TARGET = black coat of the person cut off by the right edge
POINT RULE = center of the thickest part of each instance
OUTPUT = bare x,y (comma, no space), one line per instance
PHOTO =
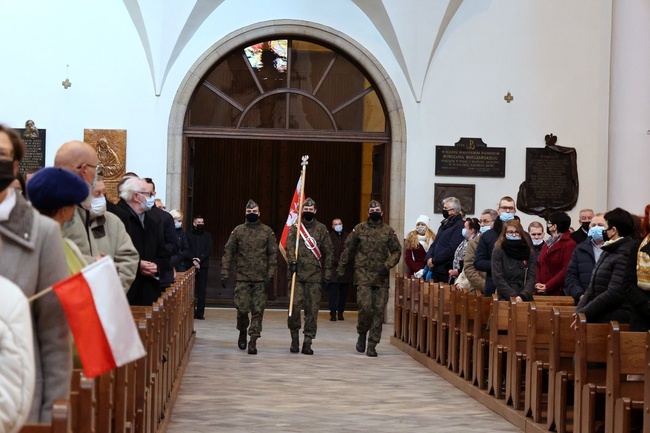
638,298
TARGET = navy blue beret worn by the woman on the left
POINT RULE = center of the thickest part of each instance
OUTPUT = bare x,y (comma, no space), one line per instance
54,188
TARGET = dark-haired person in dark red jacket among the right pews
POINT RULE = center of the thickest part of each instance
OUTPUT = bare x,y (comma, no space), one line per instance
555,256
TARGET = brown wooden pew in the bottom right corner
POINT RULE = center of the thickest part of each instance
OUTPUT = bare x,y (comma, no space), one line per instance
625,356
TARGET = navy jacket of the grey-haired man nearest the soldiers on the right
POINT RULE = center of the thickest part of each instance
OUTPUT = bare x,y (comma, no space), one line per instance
441,251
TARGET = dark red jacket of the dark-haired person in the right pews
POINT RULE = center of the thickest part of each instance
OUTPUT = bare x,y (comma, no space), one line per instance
552,264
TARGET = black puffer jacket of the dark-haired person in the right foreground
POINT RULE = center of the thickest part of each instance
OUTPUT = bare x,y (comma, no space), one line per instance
604,300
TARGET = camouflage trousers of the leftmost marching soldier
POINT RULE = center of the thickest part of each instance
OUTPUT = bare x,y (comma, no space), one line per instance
250,298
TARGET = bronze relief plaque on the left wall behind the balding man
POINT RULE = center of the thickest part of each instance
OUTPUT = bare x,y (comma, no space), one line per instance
110,145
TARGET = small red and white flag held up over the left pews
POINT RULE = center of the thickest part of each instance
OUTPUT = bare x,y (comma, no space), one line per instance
100,318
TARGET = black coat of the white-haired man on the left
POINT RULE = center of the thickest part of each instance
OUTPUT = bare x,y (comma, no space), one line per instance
149,241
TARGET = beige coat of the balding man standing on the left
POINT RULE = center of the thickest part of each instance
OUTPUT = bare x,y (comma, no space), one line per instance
109,237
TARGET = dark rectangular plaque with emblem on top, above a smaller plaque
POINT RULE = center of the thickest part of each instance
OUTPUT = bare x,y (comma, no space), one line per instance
470,157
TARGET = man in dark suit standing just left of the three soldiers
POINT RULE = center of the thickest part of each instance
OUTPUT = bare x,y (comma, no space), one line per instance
200,246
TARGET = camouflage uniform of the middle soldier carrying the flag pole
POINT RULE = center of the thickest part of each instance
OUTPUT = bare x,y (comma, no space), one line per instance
309,275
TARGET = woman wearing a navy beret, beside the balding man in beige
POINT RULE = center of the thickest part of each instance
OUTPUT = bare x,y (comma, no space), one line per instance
55,193
